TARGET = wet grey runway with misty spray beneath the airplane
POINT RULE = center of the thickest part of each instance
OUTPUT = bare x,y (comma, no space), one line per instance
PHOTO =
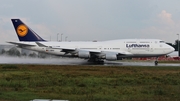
73,61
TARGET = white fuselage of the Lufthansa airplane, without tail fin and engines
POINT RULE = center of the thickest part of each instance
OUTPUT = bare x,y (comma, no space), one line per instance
123,47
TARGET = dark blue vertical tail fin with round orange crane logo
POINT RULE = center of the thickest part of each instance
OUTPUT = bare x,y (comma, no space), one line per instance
24,33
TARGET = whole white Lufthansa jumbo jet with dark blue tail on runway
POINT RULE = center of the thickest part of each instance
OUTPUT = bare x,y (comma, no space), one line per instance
95,52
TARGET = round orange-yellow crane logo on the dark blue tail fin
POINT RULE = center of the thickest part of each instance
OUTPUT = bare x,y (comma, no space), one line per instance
22,30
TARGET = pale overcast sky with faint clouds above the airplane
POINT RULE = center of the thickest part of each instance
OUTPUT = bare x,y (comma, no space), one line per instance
86,20
